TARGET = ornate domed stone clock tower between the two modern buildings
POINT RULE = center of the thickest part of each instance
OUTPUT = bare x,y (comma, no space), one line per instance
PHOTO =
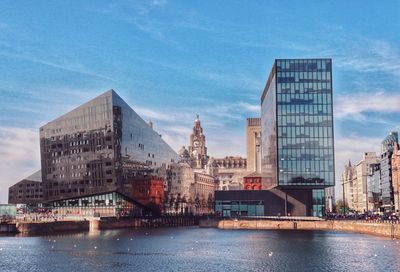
197,146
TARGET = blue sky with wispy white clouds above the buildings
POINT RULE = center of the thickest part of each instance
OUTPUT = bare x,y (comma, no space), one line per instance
171,60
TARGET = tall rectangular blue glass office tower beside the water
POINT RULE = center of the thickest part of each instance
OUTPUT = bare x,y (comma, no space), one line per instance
297,128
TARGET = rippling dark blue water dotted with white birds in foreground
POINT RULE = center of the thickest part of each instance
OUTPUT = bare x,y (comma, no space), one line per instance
194,249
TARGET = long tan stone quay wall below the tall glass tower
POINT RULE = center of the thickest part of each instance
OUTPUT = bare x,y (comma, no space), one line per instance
374,228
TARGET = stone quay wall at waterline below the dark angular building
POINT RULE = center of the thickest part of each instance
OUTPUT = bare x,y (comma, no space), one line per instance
41,228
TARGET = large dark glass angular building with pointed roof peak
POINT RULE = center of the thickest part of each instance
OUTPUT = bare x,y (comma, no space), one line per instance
91,155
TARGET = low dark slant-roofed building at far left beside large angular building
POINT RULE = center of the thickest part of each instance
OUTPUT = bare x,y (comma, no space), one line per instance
27,191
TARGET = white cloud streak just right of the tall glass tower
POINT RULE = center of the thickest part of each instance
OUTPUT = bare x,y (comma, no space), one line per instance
354,106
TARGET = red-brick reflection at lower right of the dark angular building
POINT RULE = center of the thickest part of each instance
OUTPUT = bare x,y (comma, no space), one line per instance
149,190
